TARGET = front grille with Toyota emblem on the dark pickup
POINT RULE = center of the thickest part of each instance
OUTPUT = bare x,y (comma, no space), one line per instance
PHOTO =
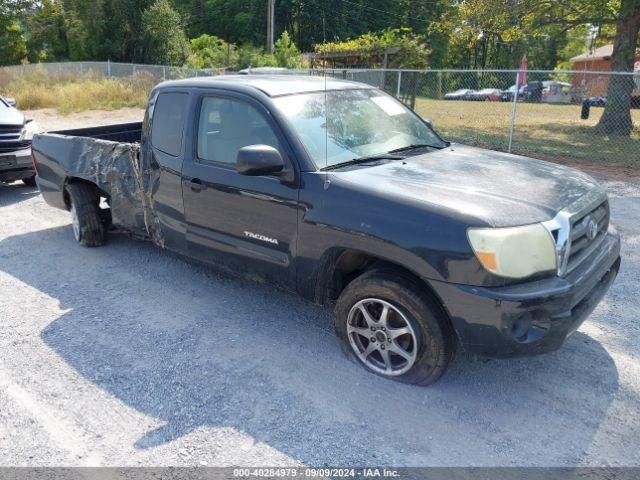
587,232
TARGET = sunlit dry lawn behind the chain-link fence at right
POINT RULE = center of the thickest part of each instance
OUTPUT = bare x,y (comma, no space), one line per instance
553,132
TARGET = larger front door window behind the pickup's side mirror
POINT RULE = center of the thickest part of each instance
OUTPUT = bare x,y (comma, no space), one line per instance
225,126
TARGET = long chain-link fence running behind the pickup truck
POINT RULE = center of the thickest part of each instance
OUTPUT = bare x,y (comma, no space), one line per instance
546,114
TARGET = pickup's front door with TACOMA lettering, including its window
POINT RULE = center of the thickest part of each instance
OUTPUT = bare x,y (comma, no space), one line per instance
241,223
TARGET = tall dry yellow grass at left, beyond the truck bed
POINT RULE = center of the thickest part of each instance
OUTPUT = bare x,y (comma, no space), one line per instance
69,93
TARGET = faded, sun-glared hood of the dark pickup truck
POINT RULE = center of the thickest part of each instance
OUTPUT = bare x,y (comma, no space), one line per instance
495,188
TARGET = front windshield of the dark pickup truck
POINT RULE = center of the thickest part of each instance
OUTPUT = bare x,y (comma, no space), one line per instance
360,123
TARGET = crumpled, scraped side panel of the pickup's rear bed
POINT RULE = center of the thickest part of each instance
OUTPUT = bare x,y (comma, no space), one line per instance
109,157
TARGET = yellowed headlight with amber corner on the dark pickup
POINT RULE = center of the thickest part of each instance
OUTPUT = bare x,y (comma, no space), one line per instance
514,252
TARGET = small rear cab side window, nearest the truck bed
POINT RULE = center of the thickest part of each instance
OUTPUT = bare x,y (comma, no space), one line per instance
168,122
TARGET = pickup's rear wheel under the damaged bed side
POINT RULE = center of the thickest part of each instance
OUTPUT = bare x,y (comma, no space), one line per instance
88,226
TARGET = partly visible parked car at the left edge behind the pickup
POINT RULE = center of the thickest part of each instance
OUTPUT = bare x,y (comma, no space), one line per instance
16,133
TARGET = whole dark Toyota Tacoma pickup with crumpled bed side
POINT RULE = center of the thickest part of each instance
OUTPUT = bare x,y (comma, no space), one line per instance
337,191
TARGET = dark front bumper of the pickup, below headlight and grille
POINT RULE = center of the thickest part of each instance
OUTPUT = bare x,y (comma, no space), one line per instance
533,317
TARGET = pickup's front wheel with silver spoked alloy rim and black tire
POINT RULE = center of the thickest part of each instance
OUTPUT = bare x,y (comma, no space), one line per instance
429,340
